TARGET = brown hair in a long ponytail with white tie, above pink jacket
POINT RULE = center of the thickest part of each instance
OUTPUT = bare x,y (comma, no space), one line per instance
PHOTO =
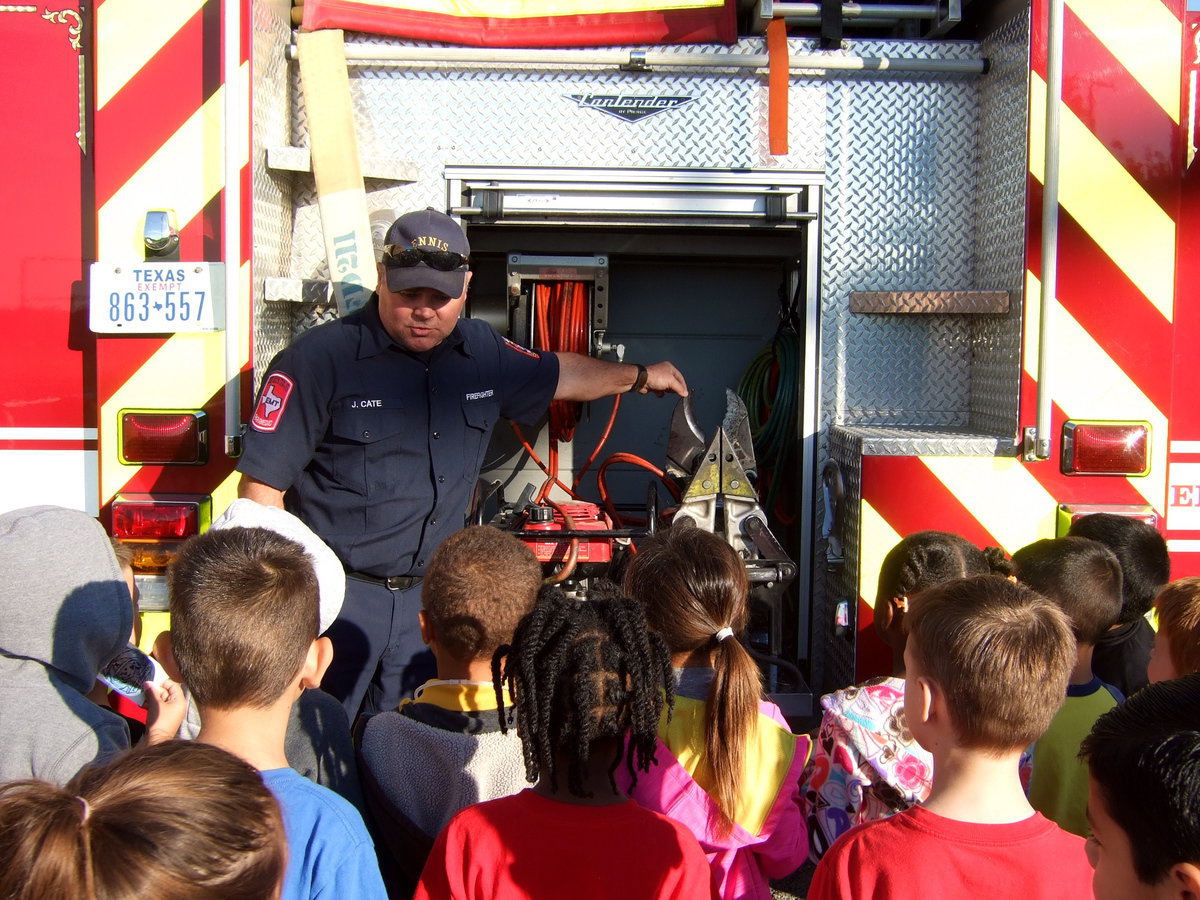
694,590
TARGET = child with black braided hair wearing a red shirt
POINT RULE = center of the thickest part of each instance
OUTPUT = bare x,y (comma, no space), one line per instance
590,682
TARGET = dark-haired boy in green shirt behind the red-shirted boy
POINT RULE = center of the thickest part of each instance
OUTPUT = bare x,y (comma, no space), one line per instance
1083,579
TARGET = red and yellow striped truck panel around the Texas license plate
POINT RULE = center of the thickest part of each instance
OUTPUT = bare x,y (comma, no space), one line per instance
160,145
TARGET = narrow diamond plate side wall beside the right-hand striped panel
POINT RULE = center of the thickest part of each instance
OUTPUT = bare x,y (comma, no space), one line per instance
1000,251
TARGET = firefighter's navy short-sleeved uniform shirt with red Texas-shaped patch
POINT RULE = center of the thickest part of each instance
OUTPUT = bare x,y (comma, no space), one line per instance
379,449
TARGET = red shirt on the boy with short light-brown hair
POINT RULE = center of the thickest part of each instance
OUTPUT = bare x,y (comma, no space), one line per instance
917,855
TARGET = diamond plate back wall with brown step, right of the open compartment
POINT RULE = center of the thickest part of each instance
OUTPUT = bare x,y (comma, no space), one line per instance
899,217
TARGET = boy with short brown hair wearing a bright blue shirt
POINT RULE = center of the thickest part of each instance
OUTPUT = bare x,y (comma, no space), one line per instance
244,608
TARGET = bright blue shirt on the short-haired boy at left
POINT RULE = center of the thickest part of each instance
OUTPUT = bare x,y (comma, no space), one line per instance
331,854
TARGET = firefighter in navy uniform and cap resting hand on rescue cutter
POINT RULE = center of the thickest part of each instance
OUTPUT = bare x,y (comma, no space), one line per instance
373,430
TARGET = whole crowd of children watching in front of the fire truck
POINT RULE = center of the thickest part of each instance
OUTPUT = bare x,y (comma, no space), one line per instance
614,746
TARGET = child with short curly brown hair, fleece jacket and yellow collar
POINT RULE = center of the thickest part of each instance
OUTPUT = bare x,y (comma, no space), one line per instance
445,751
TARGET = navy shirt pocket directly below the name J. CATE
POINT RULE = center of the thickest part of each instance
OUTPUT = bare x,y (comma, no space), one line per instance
365,446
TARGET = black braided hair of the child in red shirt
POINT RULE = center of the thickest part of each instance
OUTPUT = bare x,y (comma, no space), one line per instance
583,671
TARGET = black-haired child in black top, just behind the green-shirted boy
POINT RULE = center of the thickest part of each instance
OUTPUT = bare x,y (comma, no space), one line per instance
1124,651
